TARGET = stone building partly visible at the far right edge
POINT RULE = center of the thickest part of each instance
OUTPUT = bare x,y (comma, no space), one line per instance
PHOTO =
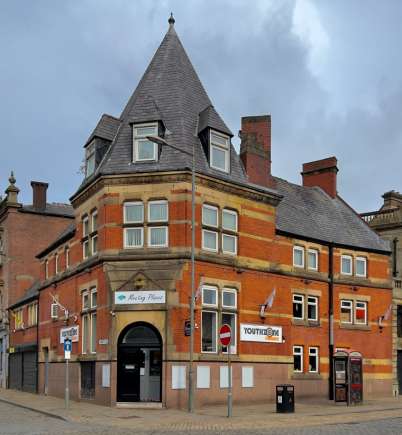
388,223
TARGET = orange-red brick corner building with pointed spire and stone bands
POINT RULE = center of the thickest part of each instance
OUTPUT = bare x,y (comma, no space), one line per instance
293,269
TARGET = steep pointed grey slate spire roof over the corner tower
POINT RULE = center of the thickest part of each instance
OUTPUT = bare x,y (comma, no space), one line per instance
170,91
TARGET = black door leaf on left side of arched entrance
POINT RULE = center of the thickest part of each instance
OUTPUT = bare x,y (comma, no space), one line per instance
131,361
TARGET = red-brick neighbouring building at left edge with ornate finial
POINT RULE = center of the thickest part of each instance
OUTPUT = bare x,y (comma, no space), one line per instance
24,229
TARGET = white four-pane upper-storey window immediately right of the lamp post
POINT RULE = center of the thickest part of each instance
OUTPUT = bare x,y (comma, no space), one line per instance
210,233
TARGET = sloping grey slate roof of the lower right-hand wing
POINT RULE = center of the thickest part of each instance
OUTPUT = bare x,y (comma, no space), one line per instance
311,213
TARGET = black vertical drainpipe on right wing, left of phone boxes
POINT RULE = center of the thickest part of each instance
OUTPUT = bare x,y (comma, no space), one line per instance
331,319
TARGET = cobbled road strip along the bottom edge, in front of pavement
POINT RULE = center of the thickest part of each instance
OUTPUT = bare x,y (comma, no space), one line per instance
18,421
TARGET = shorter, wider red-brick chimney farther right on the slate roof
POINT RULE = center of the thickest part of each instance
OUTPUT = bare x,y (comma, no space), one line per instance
321,173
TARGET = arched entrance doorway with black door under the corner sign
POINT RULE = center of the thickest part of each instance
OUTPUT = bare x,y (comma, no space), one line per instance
139,364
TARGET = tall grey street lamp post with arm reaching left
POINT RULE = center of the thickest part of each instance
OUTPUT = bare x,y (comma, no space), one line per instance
161,141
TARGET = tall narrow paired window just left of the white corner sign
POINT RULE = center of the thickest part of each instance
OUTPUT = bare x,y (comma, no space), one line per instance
88,320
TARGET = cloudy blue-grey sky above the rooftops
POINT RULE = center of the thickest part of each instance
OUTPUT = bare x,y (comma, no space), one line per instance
329,72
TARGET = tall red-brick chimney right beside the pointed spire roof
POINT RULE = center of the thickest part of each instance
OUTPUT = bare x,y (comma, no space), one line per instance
255,149
